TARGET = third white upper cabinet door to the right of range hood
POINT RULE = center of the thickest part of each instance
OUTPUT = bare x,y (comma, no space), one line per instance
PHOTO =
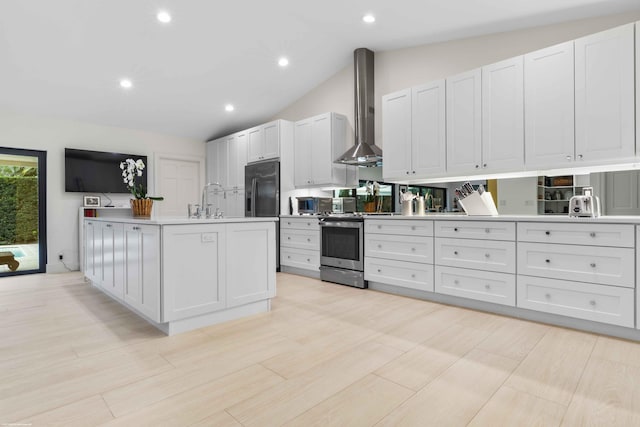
464,136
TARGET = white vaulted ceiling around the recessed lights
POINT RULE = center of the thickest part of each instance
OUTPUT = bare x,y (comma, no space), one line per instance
64,58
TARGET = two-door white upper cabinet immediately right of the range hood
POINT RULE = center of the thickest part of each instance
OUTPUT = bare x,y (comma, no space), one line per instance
413,132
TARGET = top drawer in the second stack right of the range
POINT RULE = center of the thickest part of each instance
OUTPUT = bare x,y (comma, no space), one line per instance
493,230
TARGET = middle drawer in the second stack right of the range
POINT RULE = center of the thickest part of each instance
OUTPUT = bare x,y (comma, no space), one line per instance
491,255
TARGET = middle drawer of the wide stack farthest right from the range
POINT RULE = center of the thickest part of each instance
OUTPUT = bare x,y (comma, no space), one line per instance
602,265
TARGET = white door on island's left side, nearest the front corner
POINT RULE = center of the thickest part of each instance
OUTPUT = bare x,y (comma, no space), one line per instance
142,269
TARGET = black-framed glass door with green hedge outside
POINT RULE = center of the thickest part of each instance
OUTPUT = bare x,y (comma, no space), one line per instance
23,247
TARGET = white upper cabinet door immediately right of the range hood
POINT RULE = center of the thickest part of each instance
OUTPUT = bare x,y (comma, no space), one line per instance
396,134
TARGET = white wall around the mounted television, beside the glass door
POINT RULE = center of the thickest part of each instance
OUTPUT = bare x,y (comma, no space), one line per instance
52,136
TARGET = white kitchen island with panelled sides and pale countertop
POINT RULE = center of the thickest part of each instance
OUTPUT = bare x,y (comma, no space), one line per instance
180,274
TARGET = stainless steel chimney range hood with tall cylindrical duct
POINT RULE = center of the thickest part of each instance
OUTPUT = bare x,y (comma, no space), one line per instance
364,153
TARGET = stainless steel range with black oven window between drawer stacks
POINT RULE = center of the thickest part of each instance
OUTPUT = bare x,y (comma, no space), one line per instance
342,250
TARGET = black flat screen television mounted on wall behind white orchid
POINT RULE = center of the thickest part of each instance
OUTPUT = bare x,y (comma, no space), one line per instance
97,171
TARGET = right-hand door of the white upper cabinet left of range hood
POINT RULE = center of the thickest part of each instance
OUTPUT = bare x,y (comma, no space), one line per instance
321,161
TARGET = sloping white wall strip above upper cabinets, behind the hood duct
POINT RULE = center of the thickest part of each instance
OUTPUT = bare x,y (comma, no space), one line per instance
403,68
